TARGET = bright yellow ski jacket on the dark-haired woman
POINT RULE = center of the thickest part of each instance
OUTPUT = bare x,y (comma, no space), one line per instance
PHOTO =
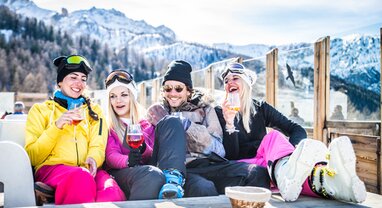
48,145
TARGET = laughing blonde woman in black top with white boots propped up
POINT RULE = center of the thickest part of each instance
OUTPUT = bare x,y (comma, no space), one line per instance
303,169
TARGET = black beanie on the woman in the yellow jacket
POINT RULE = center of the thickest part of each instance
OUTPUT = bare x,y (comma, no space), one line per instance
64,69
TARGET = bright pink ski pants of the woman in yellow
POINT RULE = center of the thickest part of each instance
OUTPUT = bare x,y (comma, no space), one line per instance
75,185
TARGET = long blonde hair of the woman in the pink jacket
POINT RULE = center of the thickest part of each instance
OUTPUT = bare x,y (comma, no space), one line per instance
137,112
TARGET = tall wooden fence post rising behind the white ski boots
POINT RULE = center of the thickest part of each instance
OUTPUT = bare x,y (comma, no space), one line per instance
321,87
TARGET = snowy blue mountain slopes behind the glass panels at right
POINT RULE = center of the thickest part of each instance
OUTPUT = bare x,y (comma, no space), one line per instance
354,69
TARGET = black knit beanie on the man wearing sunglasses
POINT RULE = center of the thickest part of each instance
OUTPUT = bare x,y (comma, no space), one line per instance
179,71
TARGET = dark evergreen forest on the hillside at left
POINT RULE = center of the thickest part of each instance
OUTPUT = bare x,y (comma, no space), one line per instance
28,46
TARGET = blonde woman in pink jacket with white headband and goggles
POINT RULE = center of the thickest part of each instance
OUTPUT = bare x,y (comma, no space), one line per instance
128,165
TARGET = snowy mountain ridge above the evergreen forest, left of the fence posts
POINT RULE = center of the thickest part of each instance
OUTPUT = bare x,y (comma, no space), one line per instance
118,31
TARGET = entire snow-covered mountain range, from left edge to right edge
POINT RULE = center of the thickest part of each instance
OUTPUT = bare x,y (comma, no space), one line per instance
355,59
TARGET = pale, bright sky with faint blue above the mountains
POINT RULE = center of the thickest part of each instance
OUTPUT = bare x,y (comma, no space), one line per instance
243,22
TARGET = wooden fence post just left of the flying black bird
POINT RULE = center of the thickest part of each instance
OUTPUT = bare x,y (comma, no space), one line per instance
271,77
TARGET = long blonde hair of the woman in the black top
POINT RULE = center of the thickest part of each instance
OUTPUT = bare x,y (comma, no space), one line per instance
247,107
